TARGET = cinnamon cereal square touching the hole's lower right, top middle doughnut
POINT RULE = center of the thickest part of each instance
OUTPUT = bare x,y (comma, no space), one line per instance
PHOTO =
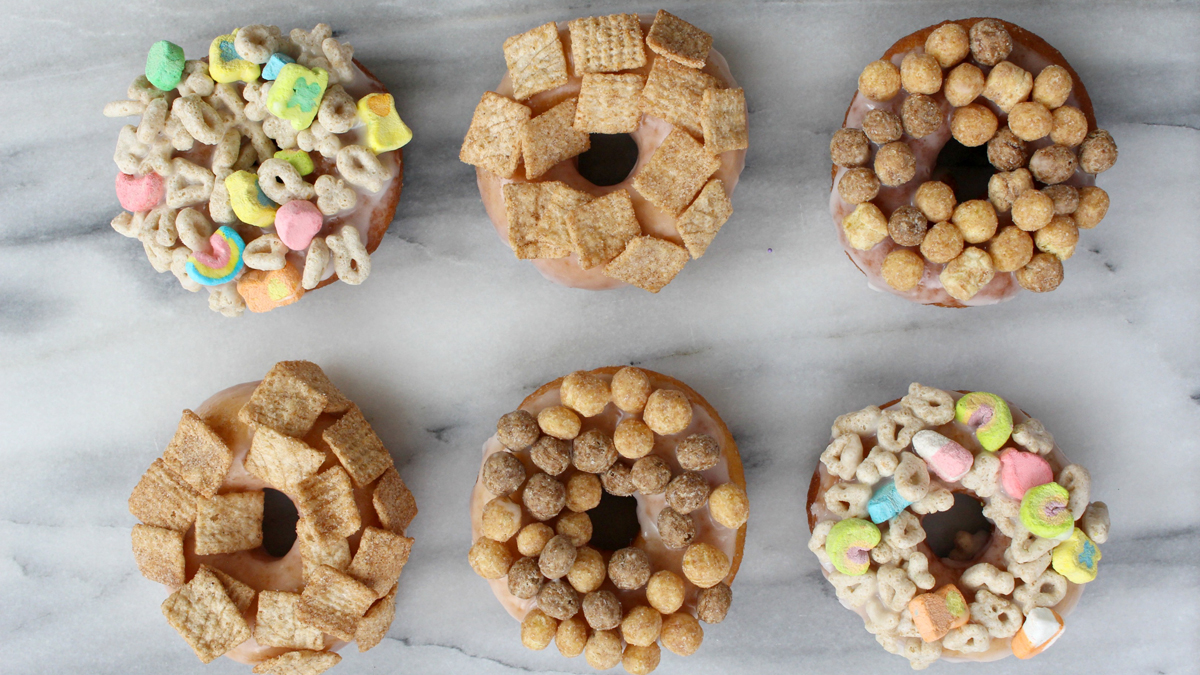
676,172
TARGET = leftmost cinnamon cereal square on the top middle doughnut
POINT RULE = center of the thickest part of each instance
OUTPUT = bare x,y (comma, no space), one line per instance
494,141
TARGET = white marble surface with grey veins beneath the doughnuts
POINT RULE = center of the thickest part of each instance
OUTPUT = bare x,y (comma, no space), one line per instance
99,355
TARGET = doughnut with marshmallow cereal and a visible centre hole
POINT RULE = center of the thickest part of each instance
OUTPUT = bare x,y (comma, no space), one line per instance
998,593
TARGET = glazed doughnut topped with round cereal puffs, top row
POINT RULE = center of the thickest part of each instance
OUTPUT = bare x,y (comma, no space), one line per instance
1018,182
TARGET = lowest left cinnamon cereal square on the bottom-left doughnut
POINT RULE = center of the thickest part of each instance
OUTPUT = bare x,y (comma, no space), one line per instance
202,613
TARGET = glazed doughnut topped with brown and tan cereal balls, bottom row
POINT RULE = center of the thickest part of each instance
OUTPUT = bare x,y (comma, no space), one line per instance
610,517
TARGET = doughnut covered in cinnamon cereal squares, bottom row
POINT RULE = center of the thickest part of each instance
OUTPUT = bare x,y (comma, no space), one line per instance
248,581
